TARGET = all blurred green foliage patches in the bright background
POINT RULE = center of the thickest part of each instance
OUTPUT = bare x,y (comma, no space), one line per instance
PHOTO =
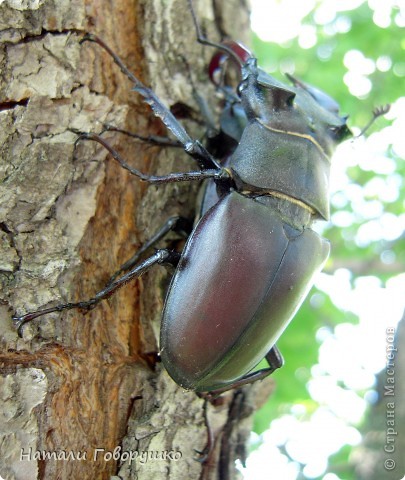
326,71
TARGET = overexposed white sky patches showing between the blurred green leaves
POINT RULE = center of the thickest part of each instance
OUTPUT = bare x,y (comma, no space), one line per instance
377,306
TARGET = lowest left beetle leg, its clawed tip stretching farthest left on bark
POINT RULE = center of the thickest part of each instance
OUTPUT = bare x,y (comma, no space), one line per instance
159,257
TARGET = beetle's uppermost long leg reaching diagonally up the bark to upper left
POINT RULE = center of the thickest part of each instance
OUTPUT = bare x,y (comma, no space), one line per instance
193,147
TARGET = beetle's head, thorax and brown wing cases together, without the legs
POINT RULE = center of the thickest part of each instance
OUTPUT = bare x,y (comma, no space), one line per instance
251,260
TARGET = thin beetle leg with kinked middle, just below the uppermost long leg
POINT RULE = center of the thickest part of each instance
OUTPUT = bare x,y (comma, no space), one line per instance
217,173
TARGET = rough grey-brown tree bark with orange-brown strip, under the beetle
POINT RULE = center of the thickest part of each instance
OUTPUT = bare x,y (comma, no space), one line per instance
70,216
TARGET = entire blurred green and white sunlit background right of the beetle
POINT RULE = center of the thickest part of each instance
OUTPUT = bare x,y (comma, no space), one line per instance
354,50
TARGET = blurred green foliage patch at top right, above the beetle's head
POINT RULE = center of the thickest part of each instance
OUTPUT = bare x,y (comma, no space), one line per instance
326,70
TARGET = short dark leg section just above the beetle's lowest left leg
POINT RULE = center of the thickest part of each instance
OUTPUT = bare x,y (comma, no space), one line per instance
176,224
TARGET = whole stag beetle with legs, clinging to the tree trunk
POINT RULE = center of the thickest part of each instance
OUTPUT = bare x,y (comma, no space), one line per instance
250,260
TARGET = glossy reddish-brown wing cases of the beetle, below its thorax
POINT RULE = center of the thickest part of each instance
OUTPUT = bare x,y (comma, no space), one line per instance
244,266
